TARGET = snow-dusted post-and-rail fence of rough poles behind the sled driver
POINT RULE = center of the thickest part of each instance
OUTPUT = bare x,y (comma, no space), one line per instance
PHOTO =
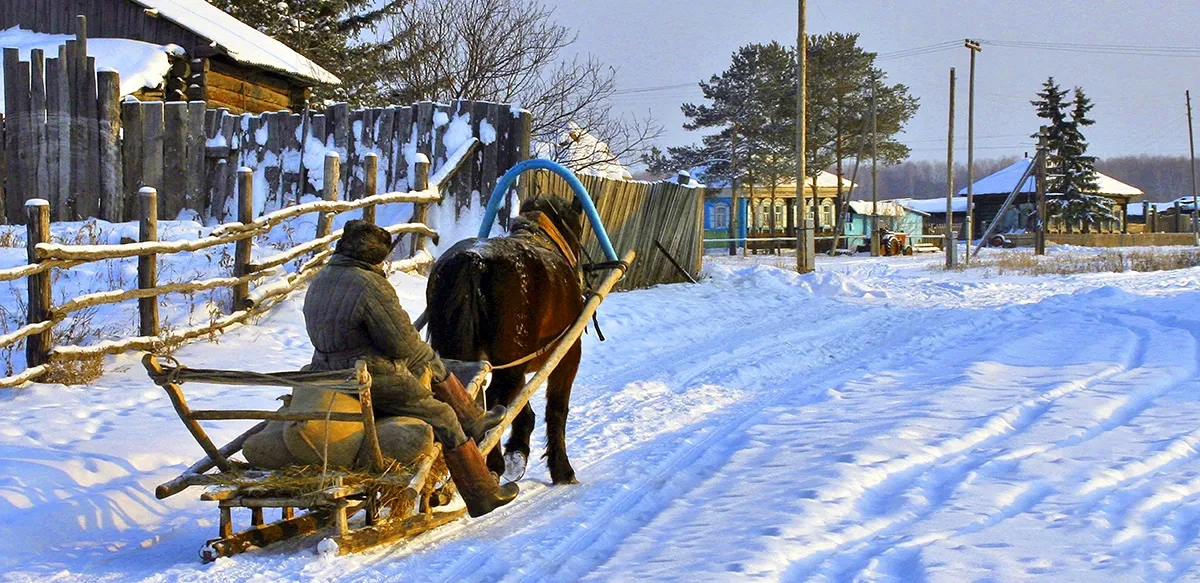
45,257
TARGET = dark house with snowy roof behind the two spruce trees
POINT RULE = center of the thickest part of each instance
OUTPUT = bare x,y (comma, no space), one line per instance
992,191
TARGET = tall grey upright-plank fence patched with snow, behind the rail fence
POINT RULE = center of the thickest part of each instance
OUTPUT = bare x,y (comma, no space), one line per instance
69,140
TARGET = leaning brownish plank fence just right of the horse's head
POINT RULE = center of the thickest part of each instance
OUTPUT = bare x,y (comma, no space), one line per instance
662,221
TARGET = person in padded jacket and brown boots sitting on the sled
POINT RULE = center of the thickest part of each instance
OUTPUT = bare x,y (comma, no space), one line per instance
353,314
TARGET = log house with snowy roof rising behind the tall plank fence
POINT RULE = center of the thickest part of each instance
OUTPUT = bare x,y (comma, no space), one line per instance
223,62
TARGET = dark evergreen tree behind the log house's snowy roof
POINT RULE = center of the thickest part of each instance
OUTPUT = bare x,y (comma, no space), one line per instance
343,37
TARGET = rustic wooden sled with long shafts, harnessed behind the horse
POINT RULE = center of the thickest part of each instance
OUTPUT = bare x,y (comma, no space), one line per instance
397,502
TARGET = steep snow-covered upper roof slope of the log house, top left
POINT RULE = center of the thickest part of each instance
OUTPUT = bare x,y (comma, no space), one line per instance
238,40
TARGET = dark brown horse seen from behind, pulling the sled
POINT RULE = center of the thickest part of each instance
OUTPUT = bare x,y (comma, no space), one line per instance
507,298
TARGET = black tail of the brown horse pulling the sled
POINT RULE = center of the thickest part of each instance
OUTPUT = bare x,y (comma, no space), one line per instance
457,309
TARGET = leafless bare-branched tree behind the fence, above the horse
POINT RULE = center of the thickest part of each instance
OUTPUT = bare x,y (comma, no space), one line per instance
511,52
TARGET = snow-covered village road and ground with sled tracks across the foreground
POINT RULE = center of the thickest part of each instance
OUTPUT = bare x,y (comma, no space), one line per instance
875,422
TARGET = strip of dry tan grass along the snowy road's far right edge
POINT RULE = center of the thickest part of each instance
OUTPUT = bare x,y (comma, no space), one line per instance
1105,262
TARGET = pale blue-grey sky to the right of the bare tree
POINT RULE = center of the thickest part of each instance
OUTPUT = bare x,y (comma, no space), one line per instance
1139,99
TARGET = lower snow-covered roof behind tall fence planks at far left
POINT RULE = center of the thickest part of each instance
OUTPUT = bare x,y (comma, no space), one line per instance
140,64
